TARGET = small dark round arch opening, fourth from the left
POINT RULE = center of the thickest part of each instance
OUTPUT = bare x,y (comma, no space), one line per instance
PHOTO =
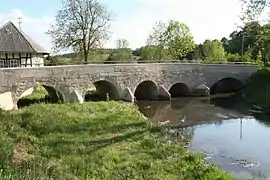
179,90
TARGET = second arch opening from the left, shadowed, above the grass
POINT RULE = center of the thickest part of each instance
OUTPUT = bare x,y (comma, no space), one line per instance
102,90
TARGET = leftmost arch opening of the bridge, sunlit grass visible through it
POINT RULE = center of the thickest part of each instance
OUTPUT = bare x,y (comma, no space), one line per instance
40,93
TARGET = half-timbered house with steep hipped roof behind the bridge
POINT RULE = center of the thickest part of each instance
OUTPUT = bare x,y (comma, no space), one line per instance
19,50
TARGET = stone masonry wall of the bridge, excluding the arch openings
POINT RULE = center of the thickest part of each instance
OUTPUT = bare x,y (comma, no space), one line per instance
73,81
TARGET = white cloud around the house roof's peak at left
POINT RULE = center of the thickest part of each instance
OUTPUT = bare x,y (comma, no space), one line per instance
32,26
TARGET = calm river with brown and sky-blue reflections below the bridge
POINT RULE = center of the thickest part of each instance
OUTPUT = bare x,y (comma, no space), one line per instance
226,129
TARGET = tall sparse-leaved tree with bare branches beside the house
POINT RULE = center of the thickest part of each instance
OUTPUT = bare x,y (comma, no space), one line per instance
80,24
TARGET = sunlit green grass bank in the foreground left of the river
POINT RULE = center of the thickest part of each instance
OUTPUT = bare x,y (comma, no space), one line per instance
104,140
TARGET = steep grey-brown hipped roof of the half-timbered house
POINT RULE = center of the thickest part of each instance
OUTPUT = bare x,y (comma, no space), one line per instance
14,40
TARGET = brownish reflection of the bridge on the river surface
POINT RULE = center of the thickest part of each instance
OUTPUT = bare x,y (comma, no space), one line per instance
186,112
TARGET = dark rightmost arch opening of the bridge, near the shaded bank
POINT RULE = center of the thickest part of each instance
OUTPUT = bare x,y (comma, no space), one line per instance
226,85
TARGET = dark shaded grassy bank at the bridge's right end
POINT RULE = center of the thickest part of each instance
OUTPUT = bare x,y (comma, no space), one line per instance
258,88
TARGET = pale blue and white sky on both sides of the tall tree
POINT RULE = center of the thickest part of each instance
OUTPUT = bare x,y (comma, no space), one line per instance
133,19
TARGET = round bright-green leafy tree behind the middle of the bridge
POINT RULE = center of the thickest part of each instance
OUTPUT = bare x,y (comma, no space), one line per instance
174,38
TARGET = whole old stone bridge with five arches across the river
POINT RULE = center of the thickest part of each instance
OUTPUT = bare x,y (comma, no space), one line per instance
122,81
